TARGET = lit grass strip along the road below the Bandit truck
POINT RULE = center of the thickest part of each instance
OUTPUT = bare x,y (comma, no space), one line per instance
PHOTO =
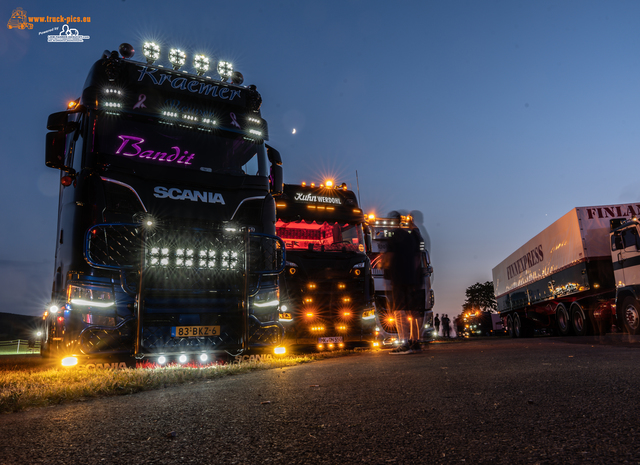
23,389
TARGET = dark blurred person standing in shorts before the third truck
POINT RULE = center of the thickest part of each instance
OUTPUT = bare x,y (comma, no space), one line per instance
404,273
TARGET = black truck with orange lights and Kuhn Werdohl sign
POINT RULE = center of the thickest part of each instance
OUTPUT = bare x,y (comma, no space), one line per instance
327,288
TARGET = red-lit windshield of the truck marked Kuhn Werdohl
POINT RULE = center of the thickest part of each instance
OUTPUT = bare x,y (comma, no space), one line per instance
321,237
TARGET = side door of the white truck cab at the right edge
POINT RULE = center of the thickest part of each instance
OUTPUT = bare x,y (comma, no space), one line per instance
625,250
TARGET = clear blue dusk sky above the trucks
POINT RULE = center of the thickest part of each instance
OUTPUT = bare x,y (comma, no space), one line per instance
492,118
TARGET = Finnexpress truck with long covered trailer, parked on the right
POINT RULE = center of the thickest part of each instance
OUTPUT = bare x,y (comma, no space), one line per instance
578,276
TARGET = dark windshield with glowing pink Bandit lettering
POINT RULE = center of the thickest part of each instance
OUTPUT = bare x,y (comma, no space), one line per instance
151,144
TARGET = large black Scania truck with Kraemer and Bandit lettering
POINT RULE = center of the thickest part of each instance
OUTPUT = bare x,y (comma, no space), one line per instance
166,249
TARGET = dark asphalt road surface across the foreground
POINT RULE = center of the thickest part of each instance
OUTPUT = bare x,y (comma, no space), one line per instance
540,400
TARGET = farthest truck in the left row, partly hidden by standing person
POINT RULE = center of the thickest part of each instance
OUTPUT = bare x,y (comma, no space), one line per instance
423,298
